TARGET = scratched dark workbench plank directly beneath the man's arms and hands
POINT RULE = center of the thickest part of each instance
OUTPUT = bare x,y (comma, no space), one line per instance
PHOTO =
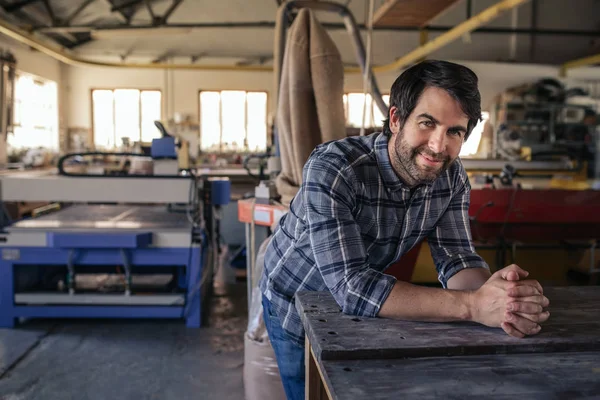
574,325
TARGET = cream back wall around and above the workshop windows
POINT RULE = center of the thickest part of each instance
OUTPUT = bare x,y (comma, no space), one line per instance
180,87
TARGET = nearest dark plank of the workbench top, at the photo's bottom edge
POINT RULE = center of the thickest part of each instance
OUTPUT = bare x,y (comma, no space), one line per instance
531,376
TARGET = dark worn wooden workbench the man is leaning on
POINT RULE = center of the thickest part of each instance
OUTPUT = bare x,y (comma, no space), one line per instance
352,357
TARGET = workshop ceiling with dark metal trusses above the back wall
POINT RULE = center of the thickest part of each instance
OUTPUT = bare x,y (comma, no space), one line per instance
242,31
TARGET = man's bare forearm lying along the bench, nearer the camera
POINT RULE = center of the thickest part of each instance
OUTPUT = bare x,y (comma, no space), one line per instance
411,302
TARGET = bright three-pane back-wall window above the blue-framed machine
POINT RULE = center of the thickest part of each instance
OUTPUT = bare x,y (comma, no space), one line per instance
125,113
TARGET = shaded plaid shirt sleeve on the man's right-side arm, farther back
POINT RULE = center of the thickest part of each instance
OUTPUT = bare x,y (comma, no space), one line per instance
450,242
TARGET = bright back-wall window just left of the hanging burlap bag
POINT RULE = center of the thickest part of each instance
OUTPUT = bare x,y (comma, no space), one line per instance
233,120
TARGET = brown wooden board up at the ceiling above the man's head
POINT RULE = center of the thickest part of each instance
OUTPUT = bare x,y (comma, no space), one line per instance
414,13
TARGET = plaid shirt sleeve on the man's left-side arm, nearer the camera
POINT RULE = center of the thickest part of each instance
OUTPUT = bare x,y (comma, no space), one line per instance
336,240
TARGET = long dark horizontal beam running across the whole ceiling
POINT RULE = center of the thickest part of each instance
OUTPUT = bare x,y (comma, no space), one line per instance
332,26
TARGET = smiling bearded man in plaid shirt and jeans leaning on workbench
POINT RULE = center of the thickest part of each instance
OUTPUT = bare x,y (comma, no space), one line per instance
366,201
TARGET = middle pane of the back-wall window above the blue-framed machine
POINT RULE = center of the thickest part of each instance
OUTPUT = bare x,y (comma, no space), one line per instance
127,115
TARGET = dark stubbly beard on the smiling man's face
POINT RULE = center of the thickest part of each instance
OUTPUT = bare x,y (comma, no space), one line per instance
407,167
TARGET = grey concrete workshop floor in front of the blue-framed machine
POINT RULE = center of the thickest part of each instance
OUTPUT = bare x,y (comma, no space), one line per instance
135,359
